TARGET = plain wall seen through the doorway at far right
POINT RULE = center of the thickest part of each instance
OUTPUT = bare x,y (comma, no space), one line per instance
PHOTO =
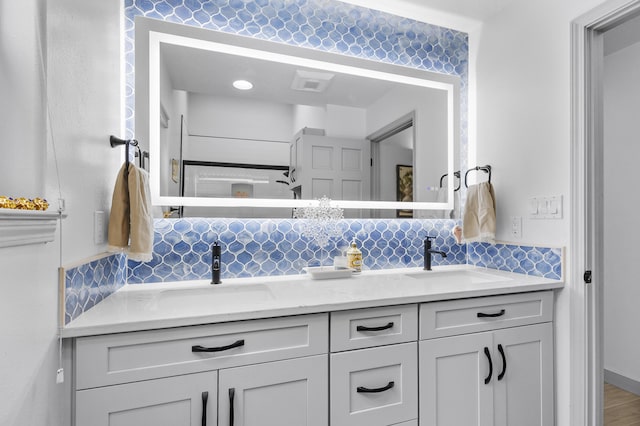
621,201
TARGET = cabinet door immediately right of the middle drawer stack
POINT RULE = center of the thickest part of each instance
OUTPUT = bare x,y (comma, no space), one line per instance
452,381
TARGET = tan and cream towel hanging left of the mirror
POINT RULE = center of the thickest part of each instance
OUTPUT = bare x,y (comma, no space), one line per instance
130,220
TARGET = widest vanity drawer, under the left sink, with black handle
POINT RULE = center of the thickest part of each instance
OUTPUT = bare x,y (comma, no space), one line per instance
121,358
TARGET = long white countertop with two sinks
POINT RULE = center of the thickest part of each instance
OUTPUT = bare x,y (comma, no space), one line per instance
163,305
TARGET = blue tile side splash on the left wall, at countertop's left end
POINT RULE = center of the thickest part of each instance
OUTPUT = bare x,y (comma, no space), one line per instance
88,284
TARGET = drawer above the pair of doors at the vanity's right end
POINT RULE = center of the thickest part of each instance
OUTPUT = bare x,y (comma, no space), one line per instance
452,317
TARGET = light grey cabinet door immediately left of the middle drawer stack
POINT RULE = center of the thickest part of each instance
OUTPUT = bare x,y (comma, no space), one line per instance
282,393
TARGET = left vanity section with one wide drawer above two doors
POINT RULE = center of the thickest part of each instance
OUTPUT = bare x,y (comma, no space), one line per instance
174,376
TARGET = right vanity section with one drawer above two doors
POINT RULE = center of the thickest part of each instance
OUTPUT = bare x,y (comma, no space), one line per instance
493,365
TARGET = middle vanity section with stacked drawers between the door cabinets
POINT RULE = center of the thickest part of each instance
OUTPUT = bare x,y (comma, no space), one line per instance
374,366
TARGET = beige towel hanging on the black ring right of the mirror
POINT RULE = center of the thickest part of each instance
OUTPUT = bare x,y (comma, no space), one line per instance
479,220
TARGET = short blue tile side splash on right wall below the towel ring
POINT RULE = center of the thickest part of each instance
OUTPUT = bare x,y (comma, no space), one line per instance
539,261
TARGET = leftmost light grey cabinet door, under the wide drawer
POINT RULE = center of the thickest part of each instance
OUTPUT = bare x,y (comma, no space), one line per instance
173,401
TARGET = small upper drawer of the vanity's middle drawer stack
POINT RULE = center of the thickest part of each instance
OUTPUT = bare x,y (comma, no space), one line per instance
363,328
